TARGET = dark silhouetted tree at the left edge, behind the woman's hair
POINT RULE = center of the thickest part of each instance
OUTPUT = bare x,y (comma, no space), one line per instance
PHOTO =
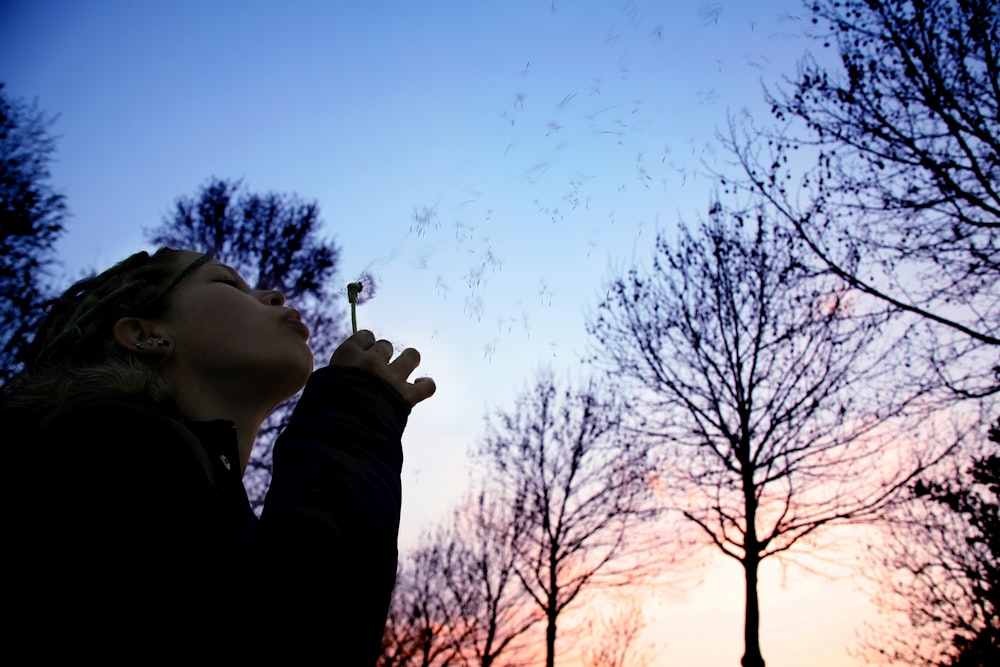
31,221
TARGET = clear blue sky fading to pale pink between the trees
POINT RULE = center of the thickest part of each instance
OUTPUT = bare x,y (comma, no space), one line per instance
492,163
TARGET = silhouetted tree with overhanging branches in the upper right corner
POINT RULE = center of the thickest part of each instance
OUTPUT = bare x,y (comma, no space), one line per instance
903,202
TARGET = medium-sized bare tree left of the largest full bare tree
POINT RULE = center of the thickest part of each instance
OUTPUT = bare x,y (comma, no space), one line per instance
577,485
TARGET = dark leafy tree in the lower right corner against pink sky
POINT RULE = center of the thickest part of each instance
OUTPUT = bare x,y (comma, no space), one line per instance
941,581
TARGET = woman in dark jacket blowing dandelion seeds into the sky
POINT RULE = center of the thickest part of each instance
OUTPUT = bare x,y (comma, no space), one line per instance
128,533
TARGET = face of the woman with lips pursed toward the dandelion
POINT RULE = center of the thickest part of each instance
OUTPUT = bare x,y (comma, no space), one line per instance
228,337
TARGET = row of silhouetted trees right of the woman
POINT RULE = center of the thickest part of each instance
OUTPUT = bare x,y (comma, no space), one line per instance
820,350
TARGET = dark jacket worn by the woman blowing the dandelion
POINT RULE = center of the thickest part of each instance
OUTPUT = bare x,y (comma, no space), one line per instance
128,535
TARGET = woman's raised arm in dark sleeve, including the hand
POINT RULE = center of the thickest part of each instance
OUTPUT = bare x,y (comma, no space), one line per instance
331,517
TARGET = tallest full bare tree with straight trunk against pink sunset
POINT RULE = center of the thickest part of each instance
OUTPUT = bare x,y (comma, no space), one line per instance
748,370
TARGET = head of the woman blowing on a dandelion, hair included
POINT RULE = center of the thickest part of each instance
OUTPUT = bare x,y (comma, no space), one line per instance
88,340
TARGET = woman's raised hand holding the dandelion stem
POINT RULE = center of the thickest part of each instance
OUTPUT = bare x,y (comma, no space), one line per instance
363,350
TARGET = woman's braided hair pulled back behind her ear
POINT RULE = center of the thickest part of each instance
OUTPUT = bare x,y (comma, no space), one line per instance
74,350
